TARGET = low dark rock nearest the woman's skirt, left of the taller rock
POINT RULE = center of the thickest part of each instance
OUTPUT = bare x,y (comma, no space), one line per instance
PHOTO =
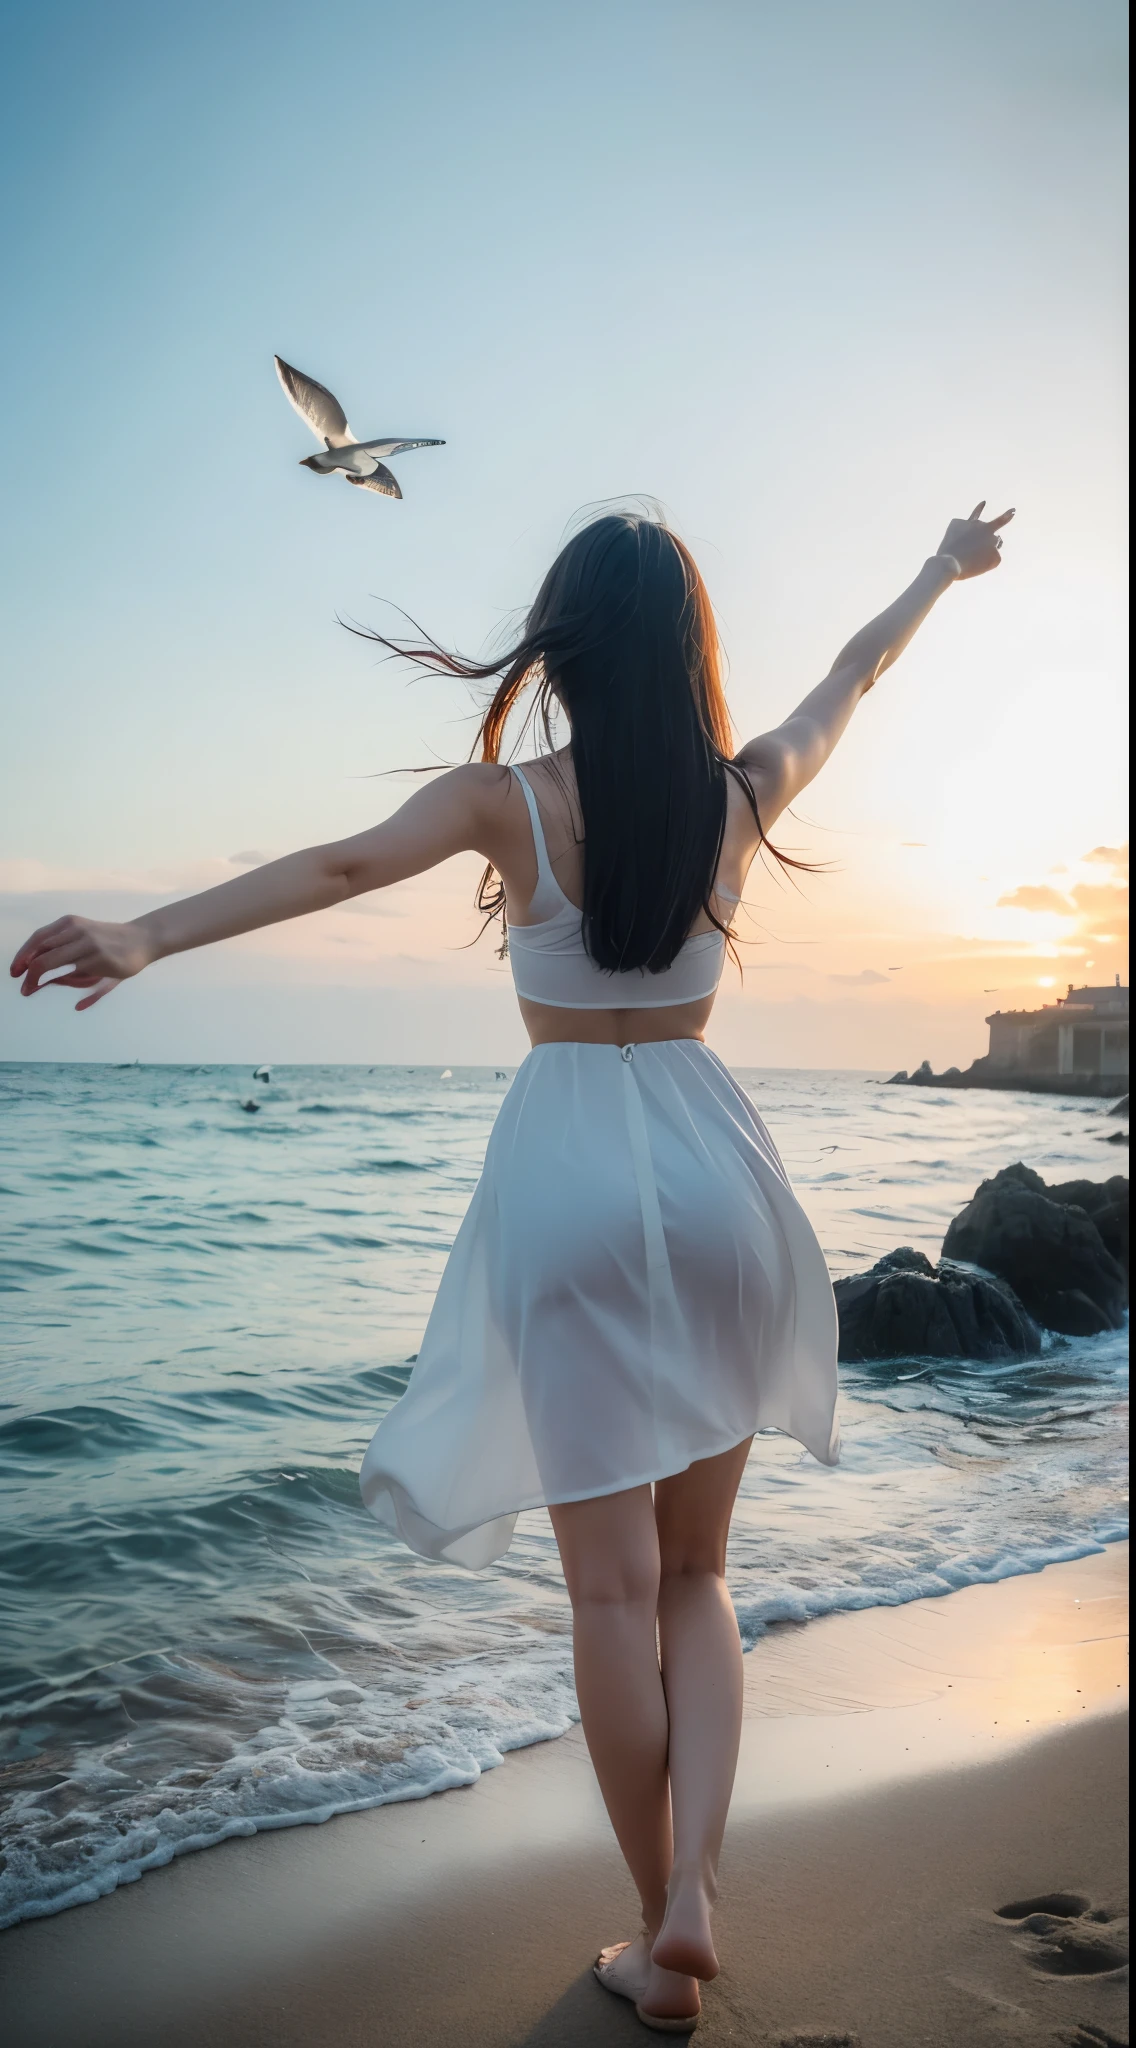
906,1308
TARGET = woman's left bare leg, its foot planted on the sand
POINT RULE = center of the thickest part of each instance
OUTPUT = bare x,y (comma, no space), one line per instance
611,1558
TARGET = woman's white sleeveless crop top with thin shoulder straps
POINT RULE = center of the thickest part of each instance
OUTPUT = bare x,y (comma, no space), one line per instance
552,964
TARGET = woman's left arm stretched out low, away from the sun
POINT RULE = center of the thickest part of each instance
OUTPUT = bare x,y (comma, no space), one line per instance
449,816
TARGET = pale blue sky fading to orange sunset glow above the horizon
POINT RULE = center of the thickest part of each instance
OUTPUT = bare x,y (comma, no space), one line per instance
812,280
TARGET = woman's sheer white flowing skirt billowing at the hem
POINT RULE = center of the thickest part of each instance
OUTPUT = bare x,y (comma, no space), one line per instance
633,1287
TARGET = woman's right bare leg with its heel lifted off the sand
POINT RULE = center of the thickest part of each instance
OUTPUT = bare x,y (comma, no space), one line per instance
701,1654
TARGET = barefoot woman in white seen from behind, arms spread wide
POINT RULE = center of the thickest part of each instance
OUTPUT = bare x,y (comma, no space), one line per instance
636,1289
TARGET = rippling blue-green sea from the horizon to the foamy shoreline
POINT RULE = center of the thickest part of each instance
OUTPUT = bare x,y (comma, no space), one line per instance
206,1310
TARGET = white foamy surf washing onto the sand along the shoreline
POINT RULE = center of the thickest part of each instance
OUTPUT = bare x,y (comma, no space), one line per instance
339,1746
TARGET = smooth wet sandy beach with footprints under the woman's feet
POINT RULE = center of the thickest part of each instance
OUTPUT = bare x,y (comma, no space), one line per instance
904,1777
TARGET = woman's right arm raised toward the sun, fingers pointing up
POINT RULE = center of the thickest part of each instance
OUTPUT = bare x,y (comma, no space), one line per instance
783,763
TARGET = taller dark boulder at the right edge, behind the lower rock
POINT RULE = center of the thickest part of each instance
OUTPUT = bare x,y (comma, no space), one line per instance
1049,1250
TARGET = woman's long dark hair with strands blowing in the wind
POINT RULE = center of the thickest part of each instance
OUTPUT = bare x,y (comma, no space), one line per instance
623,636
